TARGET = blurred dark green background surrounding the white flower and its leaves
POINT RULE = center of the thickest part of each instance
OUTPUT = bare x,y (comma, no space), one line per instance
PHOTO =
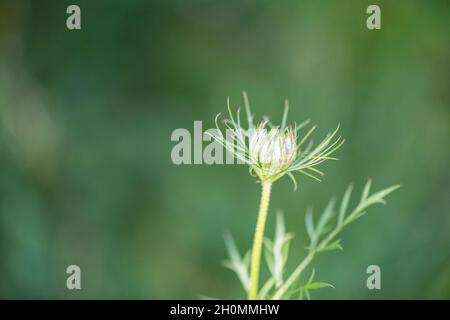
86,118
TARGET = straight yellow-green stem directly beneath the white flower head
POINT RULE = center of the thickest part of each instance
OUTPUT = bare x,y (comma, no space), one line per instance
257,242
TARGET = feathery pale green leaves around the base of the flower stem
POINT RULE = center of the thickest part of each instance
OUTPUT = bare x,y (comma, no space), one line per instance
322,238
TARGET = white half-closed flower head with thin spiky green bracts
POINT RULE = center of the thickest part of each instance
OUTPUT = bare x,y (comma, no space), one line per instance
273,151
